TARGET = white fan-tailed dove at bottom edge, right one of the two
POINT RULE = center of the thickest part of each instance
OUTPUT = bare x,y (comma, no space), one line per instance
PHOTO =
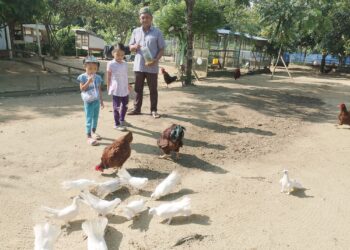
95,230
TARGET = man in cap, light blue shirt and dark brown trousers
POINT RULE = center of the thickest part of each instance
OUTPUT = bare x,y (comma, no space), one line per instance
152,38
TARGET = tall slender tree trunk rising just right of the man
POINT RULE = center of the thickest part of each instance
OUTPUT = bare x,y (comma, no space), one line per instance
189,13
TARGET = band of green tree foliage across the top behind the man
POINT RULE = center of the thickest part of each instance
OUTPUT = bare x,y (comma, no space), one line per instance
310,25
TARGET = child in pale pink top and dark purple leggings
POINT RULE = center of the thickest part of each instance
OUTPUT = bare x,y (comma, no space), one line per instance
118,86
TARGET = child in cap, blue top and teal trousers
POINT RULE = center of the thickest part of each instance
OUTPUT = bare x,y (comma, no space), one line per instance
90,86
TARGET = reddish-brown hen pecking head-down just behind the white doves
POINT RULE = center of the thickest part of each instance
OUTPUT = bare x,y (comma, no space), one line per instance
116,154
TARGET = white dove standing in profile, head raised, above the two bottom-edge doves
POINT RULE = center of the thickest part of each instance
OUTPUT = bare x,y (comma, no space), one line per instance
66,214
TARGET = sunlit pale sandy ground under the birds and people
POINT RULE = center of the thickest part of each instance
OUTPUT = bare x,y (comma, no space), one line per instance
240,136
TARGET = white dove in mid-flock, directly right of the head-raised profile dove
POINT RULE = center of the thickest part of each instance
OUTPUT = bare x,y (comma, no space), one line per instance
102,207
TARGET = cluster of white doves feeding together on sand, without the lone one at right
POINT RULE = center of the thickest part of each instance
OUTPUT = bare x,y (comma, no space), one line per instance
46,234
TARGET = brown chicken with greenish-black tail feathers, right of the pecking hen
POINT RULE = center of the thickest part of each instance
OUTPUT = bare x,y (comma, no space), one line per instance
171,140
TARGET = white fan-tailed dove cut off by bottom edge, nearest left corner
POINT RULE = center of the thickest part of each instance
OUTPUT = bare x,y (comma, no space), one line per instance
45,236
